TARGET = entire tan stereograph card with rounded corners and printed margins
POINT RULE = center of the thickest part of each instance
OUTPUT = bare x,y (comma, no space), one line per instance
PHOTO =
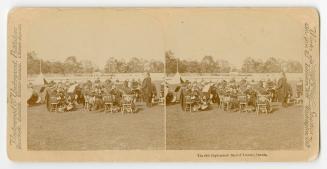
163,84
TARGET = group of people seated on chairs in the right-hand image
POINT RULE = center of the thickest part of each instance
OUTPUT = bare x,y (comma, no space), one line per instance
203,94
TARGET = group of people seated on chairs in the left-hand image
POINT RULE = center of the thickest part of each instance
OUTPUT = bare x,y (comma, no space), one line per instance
69,96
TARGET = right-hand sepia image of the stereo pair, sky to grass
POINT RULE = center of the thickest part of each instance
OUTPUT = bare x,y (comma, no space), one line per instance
234,81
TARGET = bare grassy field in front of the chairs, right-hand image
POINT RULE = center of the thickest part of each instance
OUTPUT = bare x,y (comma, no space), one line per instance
217,129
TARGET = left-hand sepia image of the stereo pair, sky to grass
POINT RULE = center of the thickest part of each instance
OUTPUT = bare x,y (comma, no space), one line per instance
95,81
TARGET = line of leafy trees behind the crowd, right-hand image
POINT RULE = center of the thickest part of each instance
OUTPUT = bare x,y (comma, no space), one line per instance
208,65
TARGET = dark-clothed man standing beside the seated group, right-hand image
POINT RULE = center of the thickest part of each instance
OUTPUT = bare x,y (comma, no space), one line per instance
282,89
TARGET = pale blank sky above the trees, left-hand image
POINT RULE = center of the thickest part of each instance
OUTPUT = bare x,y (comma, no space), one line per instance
95,36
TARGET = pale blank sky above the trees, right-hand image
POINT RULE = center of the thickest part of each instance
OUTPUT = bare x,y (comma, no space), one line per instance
235,35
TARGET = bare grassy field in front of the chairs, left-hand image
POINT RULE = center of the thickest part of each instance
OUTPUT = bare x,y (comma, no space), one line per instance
80,130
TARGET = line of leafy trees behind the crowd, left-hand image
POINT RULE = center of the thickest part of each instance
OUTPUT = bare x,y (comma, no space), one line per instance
71,65
